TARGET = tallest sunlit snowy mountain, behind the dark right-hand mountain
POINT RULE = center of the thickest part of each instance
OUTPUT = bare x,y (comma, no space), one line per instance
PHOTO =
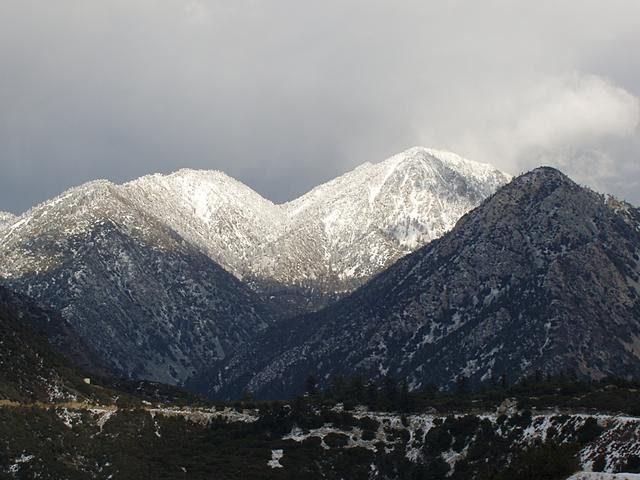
366,219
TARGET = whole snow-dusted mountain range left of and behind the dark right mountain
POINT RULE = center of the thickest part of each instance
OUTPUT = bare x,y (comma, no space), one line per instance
167,275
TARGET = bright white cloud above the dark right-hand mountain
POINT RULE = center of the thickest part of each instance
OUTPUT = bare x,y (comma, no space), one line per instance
548,118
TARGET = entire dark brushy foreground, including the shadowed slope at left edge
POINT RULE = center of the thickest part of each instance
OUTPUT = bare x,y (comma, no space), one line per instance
53,425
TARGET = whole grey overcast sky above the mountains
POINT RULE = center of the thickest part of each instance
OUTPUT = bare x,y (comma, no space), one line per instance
284,95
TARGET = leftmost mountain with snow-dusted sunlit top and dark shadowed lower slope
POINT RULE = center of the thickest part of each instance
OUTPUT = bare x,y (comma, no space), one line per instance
151,305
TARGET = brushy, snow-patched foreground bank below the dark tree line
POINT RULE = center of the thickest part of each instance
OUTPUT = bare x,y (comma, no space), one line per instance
288,441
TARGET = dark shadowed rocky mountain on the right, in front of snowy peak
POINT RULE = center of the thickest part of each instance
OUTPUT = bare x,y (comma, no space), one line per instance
543,276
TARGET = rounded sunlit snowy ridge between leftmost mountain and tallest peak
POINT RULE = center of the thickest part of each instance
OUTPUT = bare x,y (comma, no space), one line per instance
222,216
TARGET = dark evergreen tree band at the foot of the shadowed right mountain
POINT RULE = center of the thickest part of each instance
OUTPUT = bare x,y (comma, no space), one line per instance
609,395
